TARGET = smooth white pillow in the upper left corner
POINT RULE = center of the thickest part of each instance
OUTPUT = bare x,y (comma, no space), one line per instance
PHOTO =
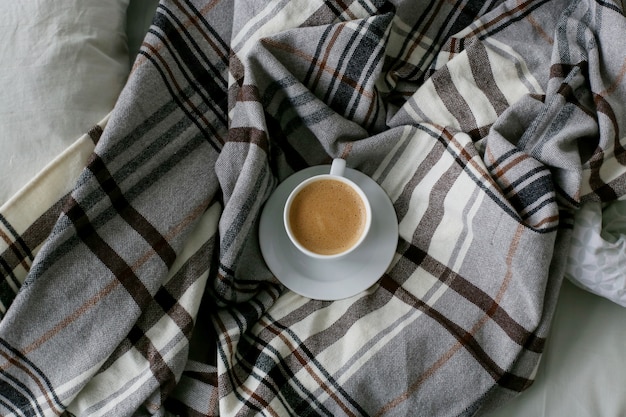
64,63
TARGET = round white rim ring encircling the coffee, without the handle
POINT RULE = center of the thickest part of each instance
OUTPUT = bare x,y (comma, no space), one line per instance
320,177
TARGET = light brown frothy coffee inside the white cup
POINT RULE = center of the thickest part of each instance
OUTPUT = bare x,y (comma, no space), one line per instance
327,217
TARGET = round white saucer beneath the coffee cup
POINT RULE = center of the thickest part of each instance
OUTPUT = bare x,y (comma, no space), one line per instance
337,278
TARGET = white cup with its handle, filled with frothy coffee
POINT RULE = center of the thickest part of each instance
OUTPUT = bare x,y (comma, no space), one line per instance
327,216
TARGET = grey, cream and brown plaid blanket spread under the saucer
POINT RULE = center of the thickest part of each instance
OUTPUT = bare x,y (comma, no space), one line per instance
132,279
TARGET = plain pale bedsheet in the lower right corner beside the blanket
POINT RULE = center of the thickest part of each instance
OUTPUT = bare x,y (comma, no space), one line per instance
581,373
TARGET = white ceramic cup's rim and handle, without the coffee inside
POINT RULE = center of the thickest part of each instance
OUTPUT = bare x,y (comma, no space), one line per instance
336,173
